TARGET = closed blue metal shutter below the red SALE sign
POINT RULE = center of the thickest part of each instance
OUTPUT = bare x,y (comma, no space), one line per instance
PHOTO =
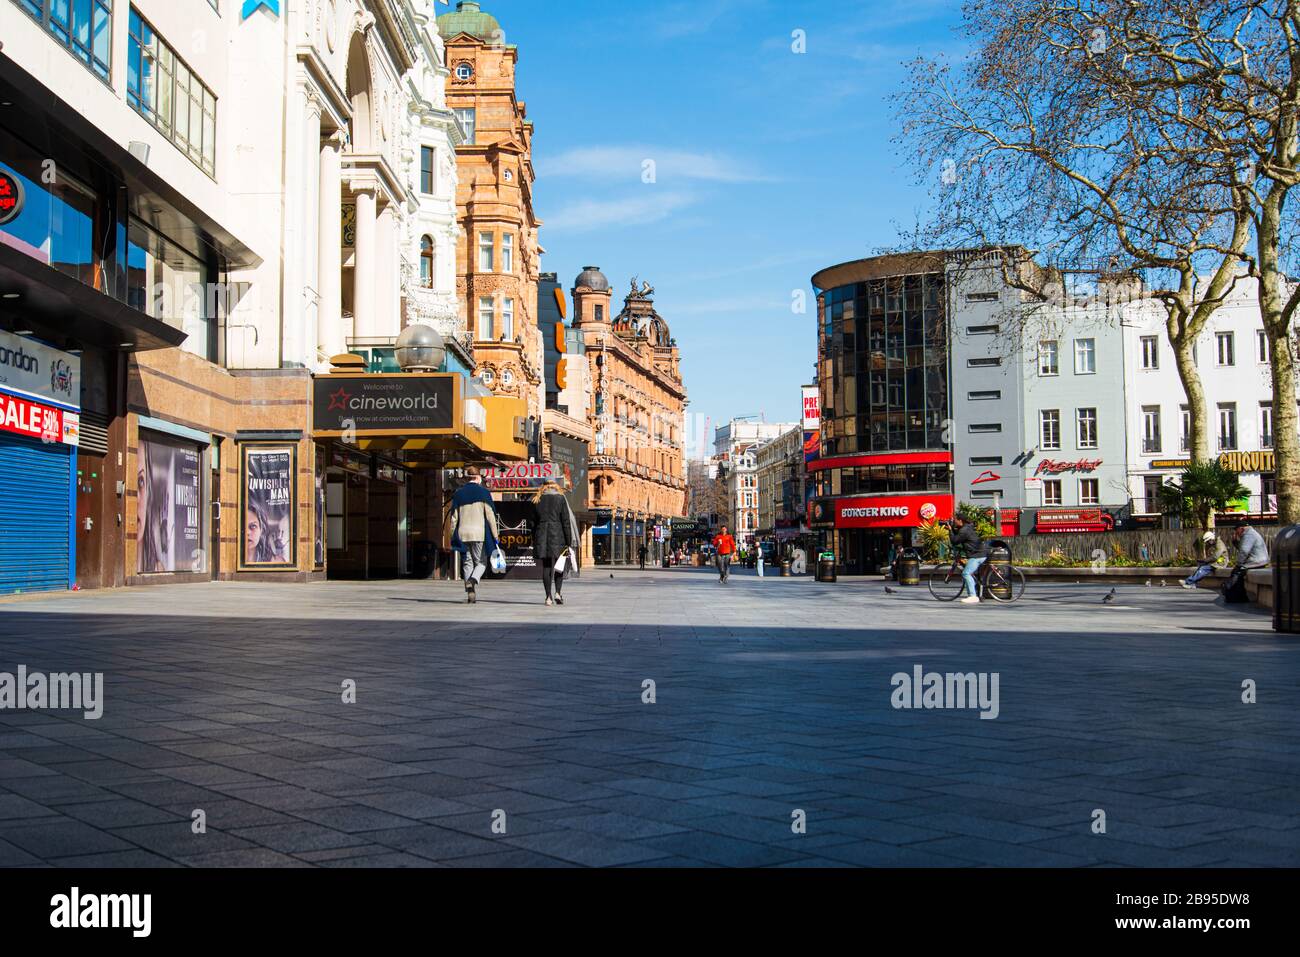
36,516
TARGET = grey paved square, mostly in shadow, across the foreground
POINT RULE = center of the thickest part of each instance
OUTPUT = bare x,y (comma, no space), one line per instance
770,698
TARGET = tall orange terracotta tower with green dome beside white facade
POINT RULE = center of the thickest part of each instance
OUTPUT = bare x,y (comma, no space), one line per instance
499,254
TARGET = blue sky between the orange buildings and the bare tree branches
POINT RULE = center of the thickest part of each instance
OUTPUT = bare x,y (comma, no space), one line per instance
769,164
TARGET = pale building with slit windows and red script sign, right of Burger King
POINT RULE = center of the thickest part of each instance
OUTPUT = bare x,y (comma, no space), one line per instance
1038,397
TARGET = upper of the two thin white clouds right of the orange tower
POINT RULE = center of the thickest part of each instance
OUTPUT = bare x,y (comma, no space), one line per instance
631,163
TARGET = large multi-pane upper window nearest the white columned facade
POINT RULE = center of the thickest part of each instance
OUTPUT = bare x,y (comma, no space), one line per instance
163,90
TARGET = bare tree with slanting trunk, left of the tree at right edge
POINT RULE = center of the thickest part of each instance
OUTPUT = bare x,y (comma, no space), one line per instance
1056,138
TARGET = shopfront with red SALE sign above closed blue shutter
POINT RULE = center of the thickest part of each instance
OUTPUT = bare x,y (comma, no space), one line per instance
40,428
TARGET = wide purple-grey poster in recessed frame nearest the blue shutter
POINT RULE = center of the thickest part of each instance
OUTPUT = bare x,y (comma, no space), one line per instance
170,506
